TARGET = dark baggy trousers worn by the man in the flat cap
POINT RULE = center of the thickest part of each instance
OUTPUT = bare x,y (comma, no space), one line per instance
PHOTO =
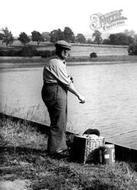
55,98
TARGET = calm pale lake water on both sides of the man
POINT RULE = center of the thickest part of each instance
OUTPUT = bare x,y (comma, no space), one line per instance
110,91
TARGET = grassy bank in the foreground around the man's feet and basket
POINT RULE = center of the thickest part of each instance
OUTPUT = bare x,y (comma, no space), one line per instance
23,156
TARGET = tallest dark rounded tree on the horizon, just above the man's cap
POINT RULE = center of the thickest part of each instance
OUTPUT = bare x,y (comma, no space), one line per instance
69,35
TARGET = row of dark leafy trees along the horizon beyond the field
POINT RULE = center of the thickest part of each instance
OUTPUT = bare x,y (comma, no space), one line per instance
124,38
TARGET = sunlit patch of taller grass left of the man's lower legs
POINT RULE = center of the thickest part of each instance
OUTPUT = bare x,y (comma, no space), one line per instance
21,134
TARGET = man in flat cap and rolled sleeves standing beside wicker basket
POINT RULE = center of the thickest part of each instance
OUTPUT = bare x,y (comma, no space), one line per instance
56,83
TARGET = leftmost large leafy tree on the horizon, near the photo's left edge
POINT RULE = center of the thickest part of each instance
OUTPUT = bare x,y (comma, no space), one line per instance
7,37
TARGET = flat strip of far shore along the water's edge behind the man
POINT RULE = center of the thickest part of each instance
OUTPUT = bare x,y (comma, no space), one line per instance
19,62
